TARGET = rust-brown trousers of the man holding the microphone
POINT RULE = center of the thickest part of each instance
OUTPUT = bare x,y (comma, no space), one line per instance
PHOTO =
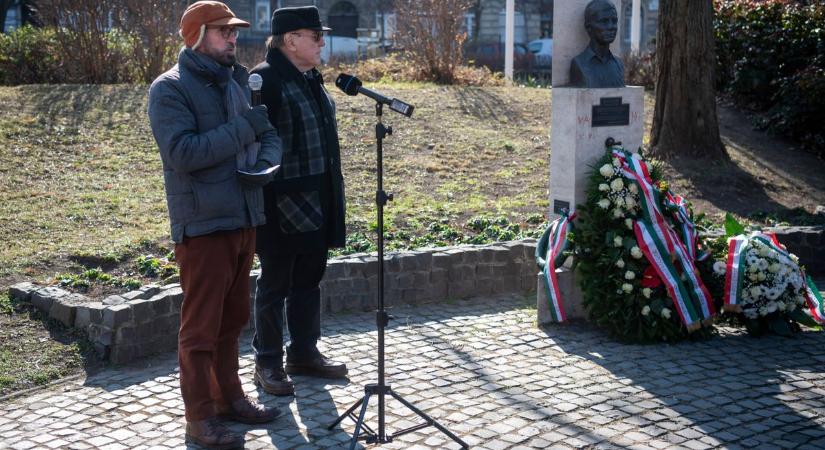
214,276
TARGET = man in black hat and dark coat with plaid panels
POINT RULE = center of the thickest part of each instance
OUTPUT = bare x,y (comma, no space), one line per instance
304,205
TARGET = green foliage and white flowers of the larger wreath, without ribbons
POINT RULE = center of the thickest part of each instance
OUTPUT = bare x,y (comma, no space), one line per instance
613,272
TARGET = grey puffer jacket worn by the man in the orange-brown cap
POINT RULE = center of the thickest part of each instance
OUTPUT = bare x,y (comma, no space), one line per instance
198,145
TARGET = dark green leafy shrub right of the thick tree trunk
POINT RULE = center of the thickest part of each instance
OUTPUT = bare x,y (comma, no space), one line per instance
771,58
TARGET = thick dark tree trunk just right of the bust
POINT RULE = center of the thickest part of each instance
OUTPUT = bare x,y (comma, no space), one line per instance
684,119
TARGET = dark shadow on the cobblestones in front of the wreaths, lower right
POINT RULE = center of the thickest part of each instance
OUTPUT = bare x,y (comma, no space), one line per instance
732,381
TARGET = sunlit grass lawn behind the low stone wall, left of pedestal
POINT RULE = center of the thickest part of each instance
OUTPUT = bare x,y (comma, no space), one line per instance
82,184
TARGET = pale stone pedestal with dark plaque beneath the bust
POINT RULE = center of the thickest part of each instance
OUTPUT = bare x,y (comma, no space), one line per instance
582,121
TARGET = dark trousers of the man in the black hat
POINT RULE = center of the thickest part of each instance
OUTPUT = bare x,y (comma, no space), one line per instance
292,280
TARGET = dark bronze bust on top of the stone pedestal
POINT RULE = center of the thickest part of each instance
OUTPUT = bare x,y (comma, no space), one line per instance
596,67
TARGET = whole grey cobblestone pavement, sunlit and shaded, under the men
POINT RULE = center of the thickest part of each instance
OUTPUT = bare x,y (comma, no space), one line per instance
483,370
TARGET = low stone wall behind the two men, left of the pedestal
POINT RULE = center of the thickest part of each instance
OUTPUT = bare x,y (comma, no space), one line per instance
141,322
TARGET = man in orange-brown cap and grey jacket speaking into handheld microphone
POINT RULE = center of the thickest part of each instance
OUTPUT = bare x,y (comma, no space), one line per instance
206,132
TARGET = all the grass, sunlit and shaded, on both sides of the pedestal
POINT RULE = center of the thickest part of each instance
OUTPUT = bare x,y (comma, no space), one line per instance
81,188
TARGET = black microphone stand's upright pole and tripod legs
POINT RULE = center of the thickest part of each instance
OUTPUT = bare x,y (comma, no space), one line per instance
382,319
